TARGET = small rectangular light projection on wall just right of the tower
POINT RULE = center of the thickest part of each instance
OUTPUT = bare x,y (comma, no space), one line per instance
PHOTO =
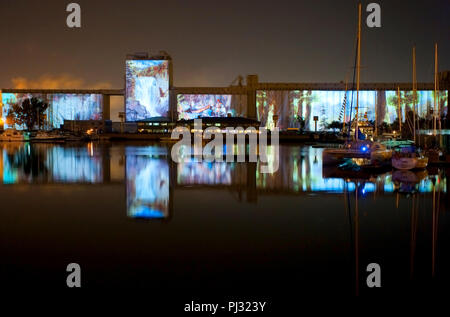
194,106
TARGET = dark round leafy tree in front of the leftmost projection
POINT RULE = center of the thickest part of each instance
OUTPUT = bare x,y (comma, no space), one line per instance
29,112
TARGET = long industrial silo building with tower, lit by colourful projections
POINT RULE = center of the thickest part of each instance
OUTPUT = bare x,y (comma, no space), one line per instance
153,104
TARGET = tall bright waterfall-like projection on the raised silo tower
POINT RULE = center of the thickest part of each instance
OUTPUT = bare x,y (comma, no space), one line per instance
147,89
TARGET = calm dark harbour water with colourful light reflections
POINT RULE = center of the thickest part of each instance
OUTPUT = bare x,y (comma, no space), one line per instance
133,218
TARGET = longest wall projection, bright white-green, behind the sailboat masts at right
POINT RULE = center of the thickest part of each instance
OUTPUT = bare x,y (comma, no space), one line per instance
327,105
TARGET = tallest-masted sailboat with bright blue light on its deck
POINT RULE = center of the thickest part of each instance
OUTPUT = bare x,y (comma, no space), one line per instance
362,152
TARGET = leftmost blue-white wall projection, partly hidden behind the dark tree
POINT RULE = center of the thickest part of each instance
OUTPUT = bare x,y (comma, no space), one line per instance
61,107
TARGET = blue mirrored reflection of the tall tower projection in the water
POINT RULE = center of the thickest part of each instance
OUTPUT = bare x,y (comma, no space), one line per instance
148,187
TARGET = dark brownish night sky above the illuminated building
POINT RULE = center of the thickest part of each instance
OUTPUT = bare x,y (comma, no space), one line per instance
212,41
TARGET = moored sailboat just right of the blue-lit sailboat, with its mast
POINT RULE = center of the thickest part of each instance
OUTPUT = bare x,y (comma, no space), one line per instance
408,157
